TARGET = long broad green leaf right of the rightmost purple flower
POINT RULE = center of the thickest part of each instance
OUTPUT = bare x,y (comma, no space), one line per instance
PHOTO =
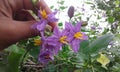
100,43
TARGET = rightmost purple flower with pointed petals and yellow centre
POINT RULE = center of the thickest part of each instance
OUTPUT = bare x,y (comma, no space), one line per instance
75,36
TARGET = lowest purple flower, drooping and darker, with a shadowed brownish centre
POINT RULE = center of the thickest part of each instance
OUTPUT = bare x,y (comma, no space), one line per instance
46,52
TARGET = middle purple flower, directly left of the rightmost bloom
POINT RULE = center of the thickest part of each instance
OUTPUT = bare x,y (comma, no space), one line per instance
58,39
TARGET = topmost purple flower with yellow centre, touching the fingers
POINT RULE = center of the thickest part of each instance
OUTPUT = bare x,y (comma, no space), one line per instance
44,19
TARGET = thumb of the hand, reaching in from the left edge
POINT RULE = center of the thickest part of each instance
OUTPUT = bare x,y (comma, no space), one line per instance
14,31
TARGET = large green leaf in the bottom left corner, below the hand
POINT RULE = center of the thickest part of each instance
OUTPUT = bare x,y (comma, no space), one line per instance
14,58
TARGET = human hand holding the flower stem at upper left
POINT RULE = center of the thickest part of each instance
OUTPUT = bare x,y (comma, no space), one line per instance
16,21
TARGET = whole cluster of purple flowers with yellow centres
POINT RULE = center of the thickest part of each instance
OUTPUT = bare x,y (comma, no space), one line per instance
51,45
